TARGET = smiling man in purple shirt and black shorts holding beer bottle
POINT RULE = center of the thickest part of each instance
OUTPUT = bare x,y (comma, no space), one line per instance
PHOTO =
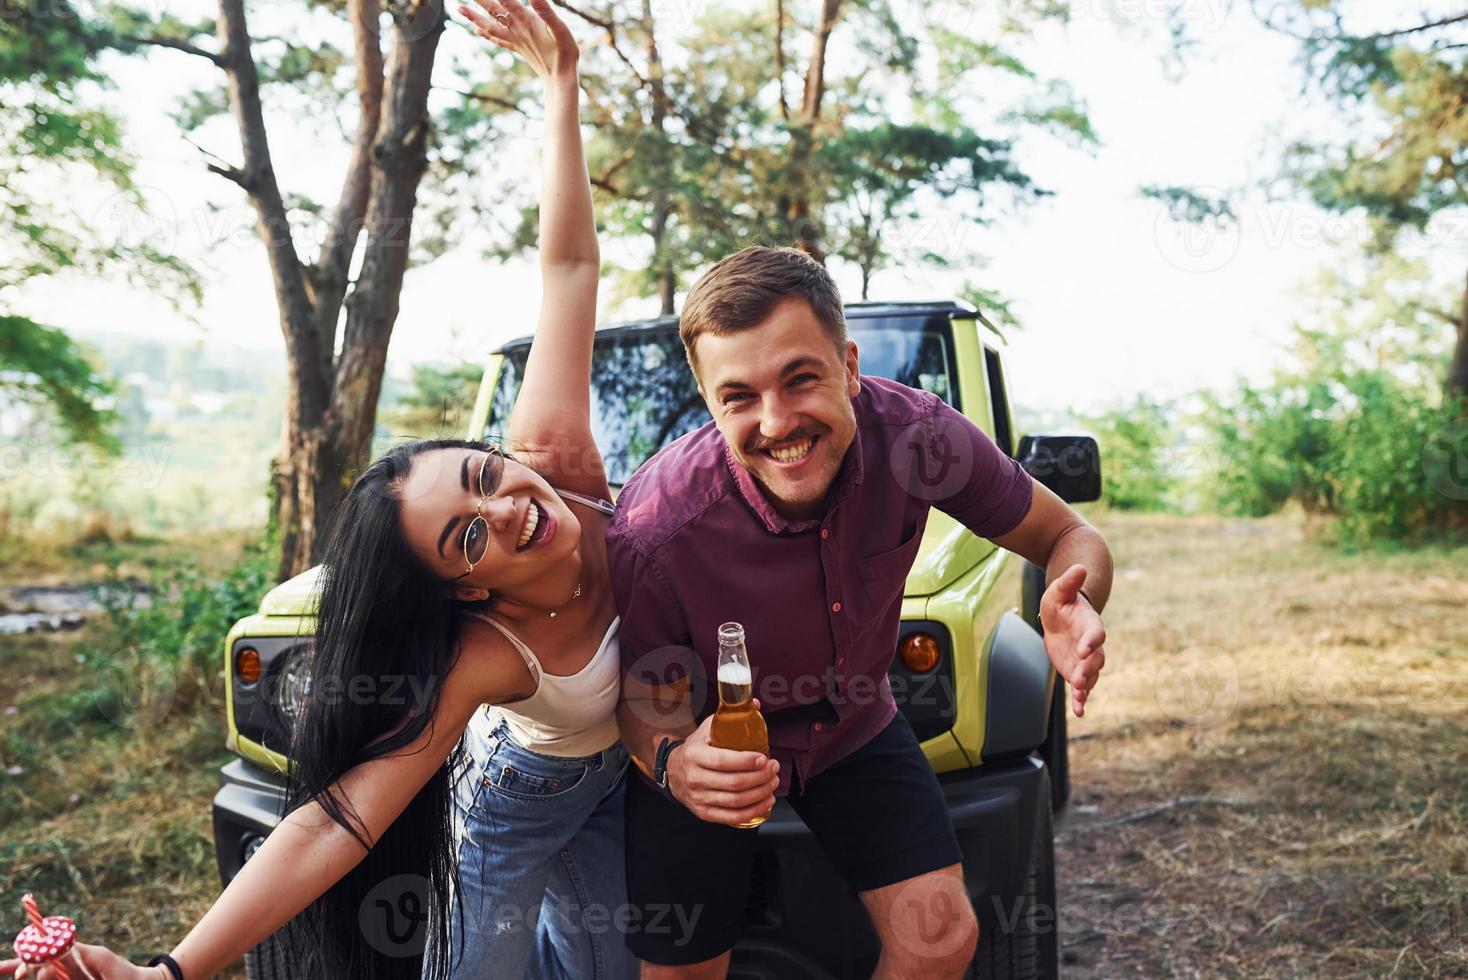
798,514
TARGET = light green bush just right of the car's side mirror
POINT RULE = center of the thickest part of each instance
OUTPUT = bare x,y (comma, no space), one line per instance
1135,442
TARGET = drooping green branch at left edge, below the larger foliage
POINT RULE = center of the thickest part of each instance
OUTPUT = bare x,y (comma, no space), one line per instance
45,367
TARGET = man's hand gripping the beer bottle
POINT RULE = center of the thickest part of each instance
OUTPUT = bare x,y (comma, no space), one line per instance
720,786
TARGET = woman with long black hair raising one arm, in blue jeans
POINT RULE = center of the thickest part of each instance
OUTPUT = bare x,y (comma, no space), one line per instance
482,580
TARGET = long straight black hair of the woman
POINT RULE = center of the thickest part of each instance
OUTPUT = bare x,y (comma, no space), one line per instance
390,626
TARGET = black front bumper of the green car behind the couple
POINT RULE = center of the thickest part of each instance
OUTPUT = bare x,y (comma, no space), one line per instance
802,921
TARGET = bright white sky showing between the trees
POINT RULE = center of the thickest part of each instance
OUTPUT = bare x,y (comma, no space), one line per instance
1115,299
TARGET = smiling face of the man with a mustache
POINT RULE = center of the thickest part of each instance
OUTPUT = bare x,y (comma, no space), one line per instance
782,395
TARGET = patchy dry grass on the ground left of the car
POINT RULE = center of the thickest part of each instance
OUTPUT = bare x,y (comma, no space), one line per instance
108,824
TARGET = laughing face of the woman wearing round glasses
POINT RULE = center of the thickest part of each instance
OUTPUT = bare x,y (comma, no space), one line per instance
526,530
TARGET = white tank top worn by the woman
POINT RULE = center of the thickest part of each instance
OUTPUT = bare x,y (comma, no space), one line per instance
569,715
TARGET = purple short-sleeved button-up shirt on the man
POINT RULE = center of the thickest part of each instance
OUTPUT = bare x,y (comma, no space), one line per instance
695,544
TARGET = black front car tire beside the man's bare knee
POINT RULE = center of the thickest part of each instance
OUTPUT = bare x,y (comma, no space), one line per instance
1030,950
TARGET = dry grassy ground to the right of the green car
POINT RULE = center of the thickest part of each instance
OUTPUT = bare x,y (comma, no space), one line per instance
1271,778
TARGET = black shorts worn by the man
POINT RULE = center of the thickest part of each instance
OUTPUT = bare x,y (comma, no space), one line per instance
689,881
